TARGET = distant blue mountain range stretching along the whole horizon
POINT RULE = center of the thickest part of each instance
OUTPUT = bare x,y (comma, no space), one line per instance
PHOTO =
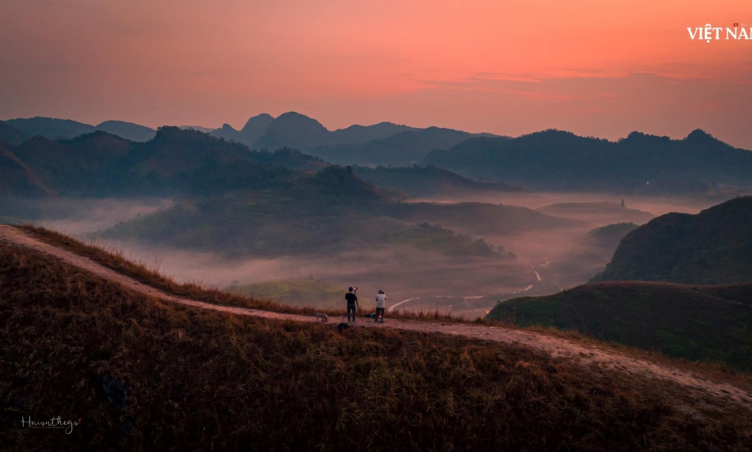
698,164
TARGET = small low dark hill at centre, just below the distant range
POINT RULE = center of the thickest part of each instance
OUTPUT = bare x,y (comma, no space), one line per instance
429,181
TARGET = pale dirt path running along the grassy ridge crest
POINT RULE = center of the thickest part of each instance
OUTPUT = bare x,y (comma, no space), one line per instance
553,346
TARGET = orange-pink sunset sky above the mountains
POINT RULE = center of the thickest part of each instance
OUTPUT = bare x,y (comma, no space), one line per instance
594,67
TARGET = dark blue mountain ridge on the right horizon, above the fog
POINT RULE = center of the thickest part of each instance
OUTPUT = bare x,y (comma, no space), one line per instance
555,160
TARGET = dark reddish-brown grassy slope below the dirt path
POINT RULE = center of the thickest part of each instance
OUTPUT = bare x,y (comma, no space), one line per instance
141,374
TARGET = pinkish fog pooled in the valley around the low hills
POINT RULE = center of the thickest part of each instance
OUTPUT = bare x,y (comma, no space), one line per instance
462,286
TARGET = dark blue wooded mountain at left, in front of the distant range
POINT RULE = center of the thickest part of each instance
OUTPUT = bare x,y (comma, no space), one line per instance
102,164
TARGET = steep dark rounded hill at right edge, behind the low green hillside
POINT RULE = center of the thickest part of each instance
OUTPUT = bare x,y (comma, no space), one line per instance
712,247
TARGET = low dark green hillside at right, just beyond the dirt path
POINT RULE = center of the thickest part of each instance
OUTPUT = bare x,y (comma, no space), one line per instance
693,322
